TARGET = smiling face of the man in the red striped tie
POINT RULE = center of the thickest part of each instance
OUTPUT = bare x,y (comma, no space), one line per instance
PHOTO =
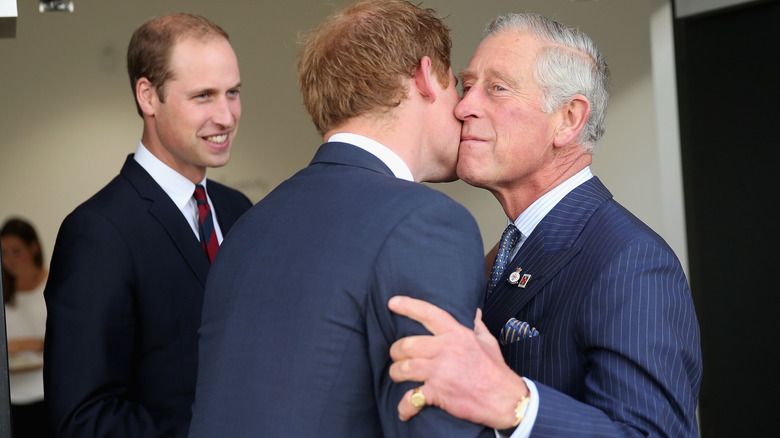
194,127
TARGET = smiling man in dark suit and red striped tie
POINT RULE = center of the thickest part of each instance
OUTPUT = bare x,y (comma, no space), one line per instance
129,267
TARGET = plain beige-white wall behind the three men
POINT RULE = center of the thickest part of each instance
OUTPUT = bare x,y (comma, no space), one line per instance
68,120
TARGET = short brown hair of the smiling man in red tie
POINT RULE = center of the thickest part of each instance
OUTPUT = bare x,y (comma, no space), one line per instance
150,48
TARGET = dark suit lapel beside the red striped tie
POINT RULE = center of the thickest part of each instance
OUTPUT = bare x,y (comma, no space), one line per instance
165,212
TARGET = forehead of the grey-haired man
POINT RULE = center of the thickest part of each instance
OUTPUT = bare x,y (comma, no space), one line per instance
506,53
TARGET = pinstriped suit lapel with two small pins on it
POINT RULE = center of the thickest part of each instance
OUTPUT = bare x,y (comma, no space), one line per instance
551,245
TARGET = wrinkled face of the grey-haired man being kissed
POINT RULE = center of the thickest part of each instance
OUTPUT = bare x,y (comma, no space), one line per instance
506,138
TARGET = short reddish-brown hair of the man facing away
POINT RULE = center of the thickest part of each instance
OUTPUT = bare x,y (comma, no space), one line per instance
355,60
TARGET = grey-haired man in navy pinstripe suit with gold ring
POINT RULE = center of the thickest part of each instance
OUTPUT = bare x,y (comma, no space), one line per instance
588,304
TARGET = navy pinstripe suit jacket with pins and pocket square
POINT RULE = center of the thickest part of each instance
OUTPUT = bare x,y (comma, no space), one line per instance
618,352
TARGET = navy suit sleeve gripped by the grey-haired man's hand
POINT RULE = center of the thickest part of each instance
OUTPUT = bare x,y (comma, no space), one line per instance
434,254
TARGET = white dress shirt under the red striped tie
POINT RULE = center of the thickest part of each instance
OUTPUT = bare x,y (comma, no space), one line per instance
178,188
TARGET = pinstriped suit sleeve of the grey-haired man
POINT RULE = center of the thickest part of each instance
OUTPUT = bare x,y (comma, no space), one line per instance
638,330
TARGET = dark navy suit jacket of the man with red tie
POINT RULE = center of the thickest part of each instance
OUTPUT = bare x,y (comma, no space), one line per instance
124,298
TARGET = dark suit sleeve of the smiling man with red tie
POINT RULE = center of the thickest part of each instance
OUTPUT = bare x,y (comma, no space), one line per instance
90,338
